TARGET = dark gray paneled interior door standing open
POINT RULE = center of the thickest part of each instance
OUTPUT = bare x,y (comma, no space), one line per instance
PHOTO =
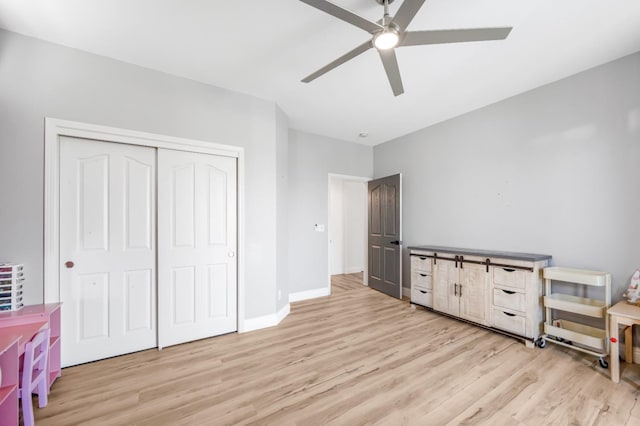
385,235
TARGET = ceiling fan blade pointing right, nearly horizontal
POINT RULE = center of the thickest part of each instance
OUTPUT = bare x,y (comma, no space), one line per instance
416,38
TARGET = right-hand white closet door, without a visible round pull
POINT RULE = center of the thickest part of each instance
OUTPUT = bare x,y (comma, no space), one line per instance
196,246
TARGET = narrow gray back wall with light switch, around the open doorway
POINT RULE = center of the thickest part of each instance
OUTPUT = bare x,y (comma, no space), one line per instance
311,159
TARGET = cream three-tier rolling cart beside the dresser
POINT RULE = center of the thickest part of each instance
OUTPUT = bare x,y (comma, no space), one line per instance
583,337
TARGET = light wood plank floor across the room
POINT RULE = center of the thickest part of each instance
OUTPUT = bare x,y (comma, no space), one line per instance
355,357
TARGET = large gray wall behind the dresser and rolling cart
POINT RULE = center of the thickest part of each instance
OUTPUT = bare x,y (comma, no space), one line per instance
555,170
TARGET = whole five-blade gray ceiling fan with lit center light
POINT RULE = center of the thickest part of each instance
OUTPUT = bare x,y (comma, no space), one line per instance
389,33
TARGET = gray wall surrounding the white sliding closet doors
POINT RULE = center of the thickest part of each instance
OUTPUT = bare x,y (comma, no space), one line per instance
40,79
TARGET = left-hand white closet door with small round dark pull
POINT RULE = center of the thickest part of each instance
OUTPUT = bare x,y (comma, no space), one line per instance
107,249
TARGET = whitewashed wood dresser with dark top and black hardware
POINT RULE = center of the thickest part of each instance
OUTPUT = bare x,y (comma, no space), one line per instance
497,290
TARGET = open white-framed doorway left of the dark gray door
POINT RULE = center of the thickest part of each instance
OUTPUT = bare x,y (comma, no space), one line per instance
347,226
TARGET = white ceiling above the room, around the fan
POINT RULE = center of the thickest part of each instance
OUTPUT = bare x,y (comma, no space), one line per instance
265,47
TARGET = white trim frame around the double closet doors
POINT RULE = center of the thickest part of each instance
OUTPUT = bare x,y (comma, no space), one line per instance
55,128
